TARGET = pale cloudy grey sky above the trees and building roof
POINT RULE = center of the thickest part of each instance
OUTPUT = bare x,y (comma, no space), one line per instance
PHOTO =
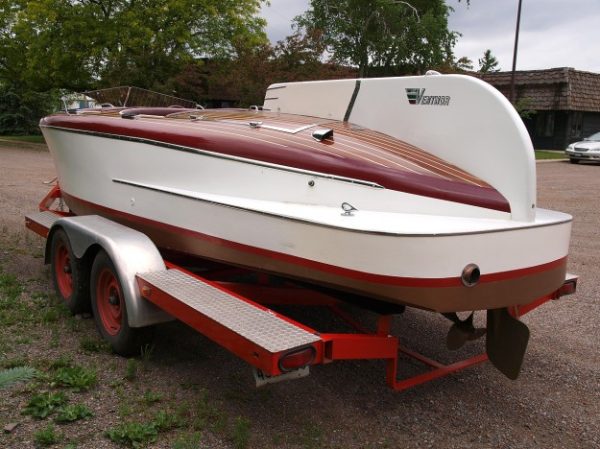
553,33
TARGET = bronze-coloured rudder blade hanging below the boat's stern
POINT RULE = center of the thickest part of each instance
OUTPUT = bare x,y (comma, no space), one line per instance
506,342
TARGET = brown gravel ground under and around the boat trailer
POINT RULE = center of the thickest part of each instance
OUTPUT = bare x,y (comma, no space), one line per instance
555,403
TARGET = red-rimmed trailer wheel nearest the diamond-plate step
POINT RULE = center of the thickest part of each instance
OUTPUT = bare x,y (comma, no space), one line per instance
110,309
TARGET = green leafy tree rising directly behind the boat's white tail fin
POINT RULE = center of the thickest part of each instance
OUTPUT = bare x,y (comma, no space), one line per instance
391,36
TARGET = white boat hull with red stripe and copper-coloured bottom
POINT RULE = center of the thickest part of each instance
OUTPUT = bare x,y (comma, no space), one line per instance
396,247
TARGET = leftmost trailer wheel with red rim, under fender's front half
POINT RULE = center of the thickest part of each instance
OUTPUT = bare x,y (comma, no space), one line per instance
70,283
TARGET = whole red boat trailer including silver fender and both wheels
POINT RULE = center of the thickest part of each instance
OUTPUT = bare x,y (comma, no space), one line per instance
132,287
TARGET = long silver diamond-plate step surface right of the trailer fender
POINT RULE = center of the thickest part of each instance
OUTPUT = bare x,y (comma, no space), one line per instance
256,325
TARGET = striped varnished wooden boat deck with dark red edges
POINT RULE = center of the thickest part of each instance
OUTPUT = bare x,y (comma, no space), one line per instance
353,152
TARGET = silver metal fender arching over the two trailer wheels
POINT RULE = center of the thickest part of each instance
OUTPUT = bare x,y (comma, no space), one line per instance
131,252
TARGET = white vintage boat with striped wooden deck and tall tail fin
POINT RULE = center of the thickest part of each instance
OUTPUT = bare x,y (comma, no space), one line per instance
417,191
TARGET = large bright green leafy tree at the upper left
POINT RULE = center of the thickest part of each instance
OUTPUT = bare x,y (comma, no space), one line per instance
78,44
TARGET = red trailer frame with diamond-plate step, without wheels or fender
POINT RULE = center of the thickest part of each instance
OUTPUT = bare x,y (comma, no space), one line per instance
238,317
